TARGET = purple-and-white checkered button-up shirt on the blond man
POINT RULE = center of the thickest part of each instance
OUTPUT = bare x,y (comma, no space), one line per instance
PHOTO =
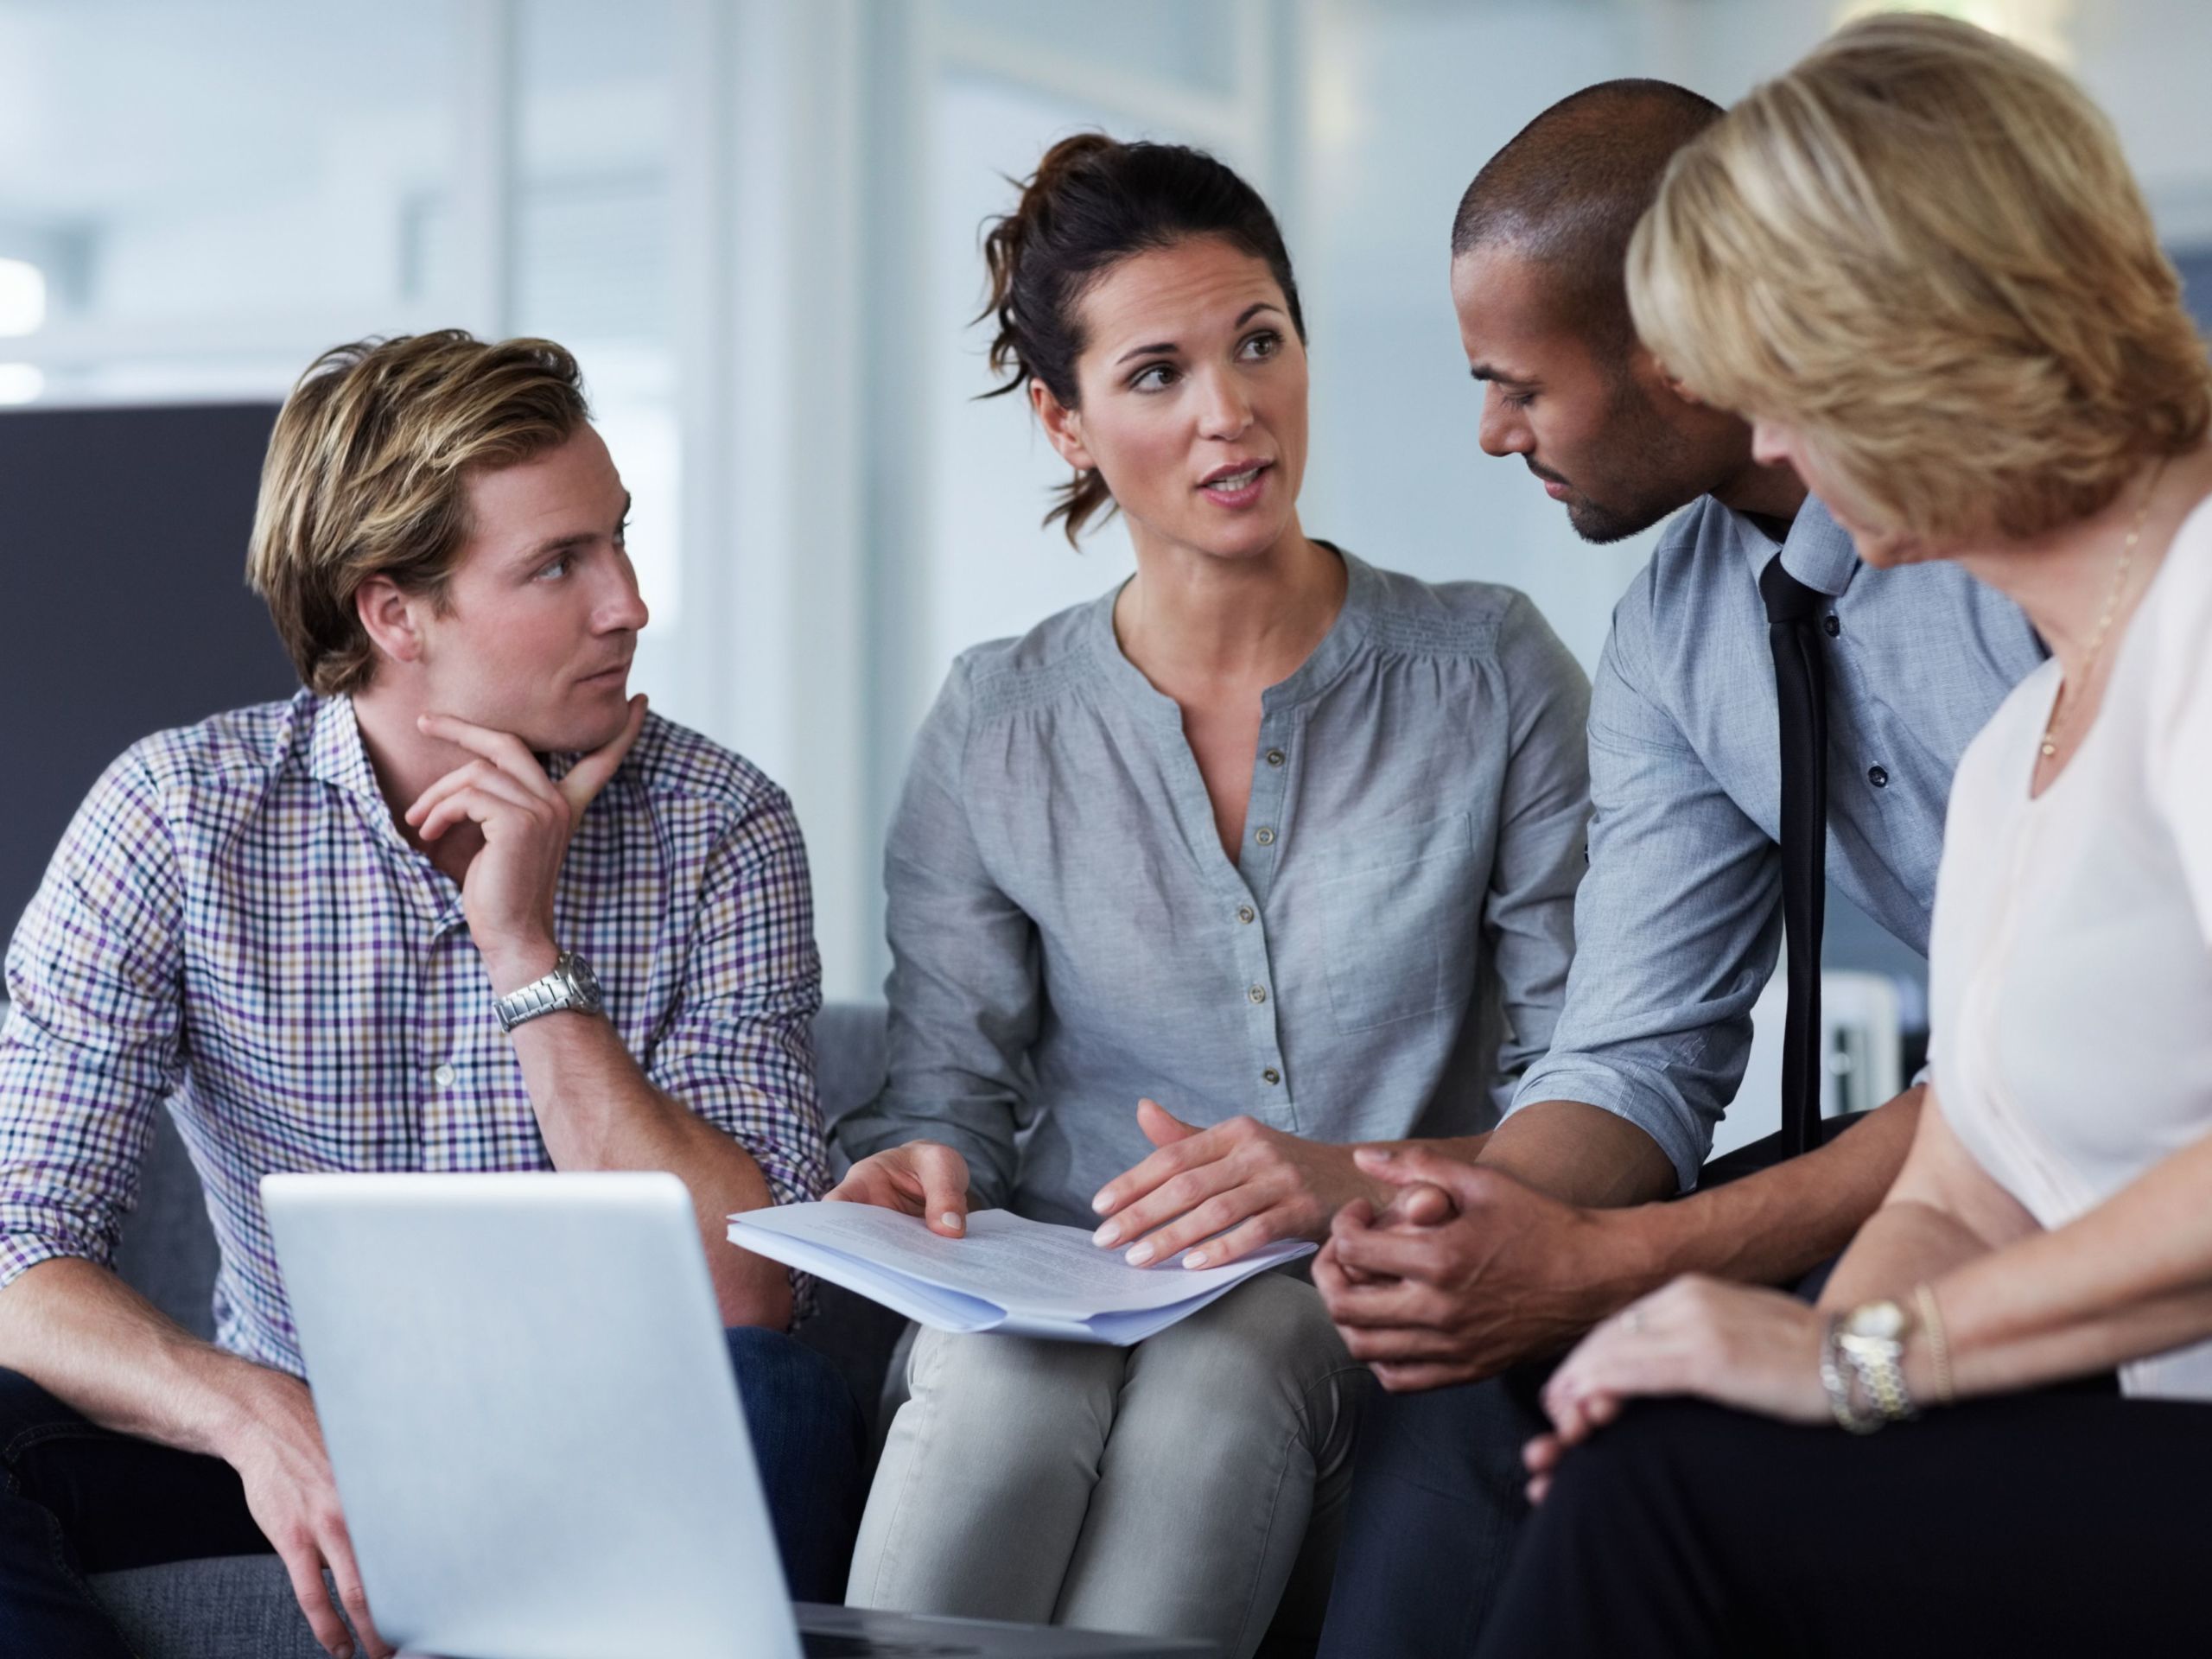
236,928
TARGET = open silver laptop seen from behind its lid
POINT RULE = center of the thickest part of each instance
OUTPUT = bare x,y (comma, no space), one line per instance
530,1410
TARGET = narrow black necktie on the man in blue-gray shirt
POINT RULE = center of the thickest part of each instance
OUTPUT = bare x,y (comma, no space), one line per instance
1802,698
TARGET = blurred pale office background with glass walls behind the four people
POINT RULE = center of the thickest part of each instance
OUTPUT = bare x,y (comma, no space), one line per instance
758,225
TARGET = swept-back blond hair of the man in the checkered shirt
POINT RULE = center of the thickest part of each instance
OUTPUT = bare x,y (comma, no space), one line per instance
368,474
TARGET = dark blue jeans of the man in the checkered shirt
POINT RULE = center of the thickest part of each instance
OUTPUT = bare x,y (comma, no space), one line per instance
85,1501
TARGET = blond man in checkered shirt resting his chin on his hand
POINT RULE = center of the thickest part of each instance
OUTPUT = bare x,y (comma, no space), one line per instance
293,926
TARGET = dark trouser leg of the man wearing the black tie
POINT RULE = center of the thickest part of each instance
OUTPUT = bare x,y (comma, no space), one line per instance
1437,1512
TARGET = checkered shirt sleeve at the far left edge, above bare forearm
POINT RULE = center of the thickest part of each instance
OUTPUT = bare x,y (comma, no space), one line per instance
92,1045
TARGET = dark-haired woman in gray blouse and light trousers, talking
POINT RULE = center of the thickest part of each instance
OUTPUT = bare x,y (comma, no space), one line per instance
1191,890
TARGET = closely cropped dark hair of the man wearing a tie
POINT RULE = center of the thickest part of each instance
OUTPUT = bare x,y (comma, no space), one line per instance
1574,185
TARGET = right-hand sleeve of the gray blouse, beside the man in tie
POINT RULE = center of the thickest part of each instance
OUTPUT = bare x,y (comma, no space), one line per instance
1543,826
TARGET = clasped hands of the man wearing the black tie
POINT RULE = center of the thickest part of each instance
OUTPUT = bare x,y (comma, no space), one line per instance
1470,1273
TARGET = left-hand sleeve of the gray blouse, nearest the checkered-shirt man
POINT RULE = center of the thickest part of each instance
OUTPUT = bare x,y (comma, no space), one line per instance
966,981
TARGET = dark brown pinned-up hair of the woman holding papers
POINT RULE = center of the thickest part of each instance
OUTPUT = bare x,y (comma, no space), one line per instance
1089,205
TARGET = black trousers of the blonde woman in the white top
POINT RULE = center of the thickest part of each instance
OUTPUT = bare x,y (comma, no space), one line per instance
2060,1523
